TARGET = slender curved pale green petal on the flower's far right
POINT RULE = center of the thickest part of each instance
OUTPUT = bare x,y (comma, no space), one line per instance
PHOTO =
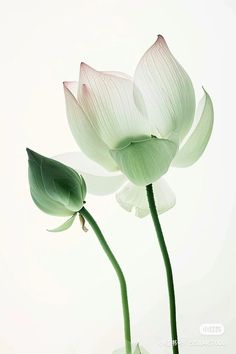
195,145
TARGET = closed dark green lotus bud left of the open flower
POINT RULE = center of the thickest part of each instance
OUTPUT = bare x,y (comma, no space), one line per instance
55,188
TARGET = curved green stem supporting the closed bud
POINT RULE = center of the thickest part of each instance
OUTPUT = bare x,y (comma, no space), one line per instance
119,273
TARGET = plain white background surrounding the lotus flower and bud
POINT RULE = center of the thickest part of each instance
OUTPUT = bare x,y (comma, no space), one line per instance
58,293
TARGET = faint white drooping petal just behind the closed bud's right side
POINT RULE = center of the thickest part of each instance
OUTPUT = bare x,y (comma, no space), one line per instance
98,180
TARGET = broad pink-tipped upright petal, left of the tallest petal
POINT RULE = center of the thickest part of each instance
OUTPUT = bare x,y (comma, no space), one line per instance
108,101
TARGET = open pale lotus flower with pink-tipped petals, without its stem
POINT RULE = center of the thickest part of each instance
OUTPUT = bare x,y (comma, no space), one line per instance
137,127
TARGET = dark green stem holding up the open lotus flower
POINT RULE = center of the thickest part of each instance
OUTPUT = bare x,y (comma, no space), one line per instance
169,274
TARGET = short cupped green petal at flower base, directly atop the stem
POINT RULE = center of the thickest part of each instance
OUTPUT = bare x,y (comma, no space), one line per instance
144,162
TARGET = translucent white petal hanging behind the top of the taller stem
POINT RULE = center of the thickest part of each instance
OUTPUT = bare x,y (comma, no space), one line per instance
132,197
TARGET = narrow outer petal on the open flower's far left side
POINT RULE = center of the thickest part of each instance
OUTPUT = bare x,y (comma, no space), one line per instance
83,132
